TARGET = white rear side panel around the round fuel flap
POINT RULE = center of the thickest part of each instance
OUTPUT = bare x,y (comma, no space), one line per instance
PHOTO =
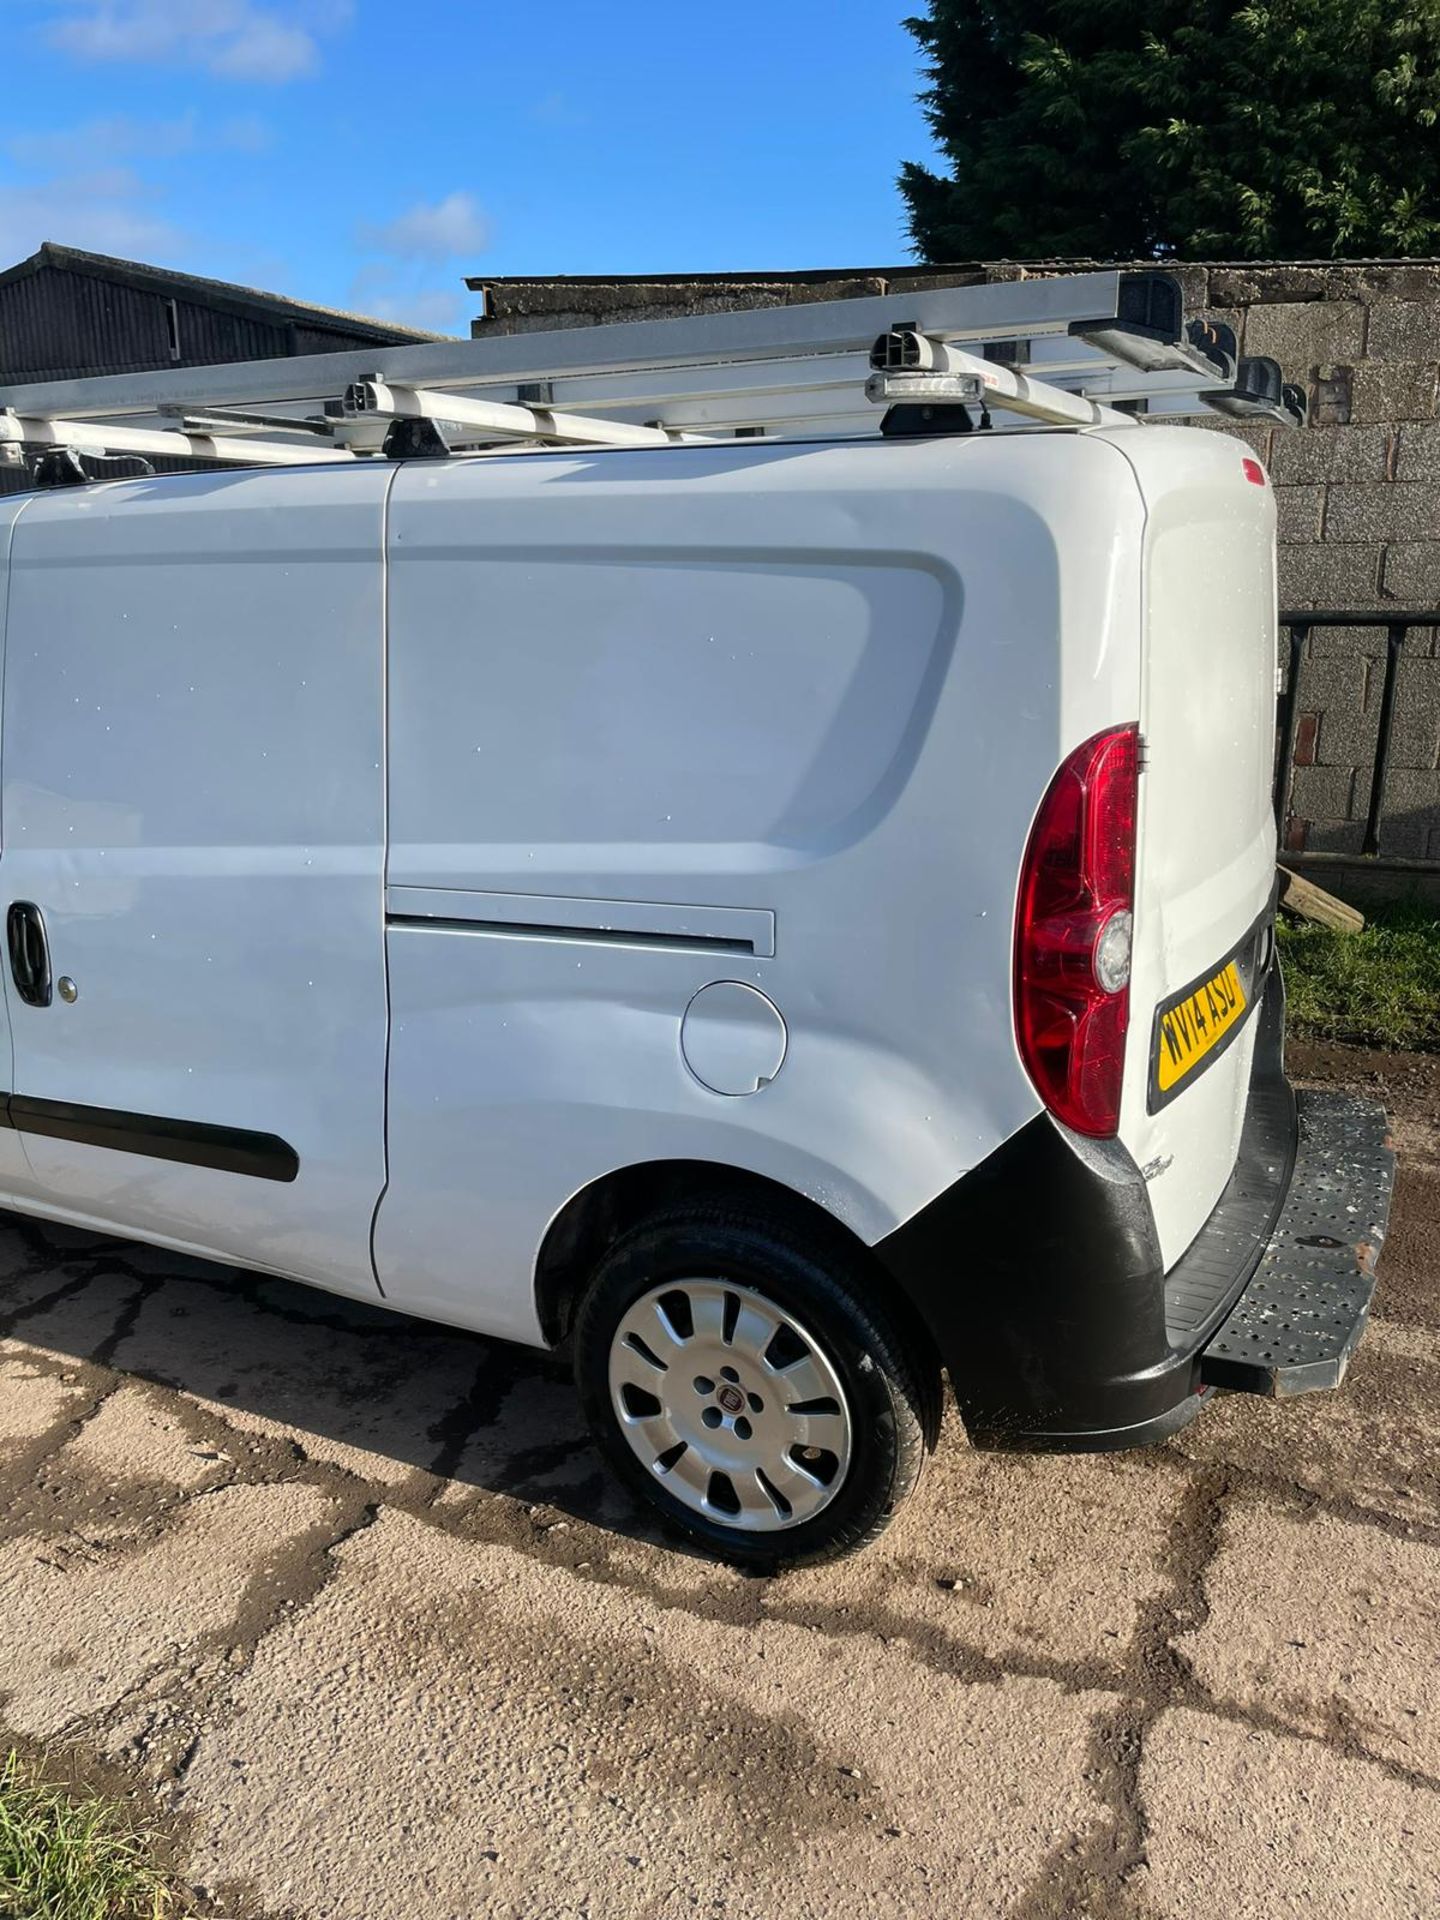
809,688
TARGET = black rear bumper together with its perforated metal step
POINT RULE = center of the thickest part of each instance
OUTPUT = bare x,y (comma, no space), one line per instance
1042,1282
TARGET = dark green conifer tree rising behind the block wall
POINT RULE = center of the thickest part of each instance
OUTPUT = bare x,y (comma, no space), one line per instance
1130,130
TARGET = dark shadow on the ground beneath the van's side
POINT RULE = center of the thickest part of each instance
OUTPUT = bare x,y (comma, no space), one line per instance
420,1412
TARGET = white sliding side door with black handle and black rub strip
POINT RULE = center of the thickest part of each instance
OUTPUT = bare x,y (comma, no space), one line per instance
195,842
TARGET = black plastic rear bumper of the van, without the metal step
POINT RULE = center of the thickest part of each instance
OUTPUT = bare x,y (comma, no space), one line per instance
1044,1287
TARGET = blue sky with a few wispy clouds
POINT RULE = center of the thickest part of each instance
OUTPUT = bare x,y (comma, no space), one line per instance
370,155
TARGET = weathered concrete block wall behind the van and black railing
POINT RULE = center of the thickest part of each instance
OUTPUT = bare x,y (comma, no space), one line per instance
1358,491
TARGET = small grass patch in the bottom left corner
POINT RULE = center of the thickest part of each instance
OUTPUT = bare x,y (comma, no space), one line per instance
72,1856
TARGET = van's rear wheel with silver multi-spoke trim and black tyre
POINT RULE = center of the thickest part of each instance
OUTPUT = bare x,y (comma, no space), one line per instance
744,1380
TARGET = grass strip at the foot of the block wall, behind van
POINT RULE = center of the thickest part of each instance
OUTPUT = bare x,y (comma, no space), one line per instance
1380,988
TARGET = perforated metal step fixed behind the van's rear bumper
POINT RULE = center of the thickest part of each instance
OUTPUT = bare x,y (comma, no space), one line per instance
1305,1310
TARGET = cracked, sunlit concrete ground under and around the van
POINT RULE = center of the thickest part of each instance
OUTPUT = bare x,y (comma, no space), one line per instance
348,1600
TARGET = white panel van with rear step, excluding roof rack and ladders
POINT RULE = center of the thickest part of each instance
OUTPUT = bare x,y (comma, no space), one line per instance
782,921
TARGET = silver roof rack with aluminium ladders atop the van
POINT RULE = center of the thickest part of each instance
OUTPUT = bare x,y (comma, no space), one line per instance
1090,350
